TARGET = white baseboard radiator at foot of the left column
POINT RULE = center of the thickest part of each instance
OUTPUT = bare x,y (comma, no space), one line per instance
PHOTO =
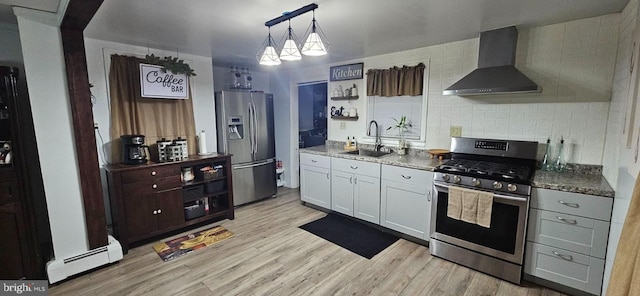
58,270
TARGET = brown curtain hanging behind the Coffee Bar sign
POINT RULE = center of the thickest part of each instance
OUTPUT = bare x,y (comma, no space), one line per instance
133,114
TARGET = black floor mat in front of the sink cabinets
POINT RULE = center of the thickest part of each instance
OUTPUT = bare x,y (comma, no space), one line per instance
351,235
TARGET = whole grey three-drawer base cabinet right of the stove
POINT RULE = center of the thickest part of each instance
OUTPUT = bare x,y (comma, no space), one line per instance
567,238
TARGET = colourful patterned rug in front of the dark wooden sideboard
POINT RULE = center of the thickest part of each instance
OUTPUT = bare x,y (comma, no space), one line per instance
175,248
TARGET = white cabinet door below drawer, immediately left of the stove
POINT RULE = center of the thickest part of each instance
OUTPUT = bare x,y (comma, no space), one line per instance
406,208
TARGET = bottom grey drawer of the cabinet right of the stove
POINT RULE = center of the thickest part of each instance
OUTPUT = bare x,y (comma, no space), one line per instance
567,268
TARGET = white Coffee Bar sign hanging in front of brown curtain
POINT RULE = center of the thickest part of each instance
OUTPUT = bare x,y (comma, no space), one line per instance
156,84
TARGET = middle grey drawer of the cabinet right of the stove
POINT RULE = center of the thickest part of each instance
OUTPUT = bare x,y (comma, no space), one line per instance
583,235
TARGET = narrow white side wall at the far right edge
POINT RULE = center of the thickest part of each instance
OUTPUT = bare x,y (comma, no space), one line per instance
616,156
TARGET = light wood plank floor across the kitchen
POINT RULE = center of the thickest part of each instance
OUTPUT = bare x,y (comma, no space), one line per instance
270,255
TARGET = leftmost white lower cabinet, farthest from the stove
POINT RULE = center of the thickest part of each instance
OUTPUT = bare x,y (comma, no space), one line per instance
315,180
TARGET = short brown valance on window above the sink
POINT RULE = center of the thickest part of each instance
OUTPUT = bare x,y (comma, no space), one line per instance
395,81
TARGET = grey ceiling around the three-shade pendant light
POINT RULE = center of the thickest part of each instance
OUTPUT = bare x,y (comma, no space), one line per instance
231,32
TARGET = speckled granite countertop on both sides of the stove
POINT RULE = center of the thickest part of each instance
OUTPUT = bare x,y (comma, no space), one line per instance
592,183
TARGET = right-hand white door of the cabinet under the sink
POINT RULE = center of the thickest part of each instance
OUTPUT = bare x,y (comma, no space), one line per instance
366,198
